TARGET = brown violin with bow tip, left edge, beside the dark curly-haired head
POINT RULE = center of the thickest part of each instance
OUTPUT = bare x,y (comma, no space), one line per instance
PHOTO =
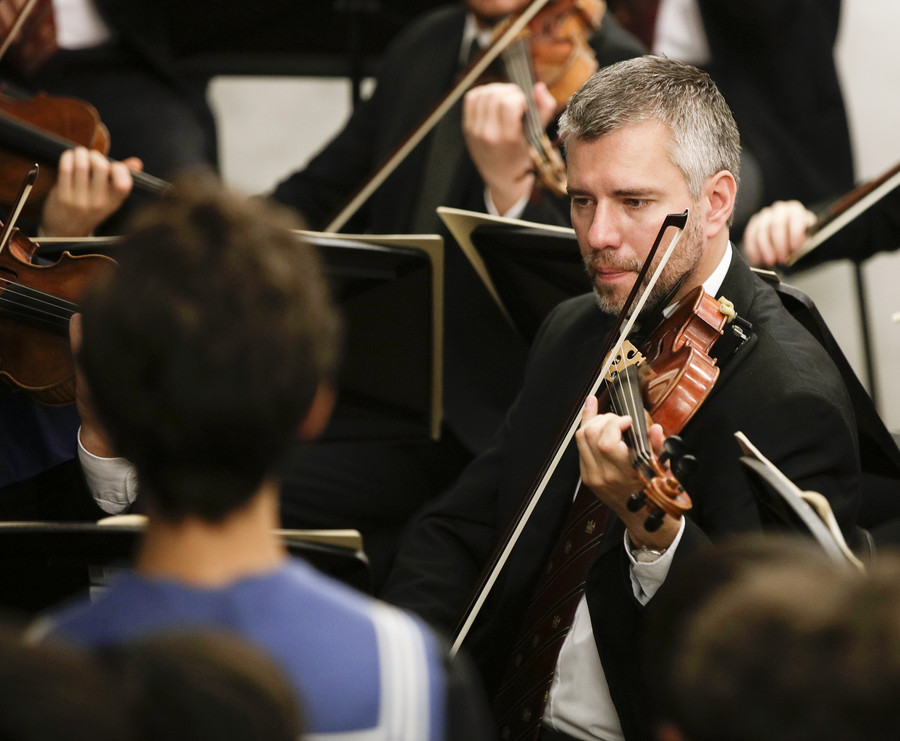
36,303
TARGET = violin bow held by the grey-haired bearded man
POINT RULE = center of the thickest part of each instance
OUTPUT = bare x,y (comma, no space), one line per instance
616,337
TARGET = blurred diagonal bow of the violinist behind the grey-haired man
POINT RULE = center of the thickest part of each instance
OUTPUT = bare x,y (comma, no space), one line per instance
431,120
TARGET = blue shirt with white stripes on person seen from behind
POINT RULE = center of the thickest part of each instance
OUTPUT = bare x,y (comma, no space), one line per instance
352,658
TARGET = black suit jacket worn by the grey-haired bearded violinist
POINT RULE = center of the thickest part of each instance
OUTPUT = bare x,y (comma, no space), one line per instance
781,390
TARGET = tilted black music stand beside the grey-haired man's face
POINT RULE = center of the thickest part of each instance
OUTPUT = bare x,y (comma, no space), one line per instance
528,268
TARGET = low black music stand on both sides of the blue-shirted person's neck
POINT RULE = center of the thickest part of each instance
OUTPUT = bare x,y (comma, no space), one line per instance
43,563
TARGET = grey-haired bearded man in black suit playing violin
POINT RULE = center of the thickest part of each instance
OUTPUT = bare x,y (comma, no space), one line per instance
644,138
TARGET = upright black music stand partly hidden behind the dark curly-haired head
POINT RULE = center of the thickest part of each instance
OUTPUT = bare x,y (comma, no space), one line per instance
390,292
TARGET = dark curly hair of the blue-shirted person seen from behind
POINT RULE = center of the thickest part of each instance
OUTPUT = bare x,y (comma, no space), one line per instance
206,347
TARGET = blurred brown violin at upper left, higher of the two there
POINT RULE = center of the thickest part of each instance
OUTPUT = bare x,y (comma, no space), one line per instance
39,129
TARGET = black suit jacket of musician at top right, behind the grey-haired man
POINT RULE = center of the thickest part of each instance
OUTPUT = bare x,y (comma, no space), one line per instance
773,60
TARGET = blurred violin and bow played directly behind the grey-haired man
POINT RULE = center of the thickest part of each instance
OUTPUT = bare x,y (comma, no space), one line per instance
509,32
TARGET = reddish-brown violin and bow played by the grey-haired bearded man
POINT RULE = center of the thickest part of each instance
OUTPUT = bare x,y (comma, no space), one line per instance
677,378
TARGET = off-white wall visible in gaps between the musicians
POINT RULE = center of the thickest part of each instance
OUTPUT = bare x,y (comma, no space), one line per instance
271,126
